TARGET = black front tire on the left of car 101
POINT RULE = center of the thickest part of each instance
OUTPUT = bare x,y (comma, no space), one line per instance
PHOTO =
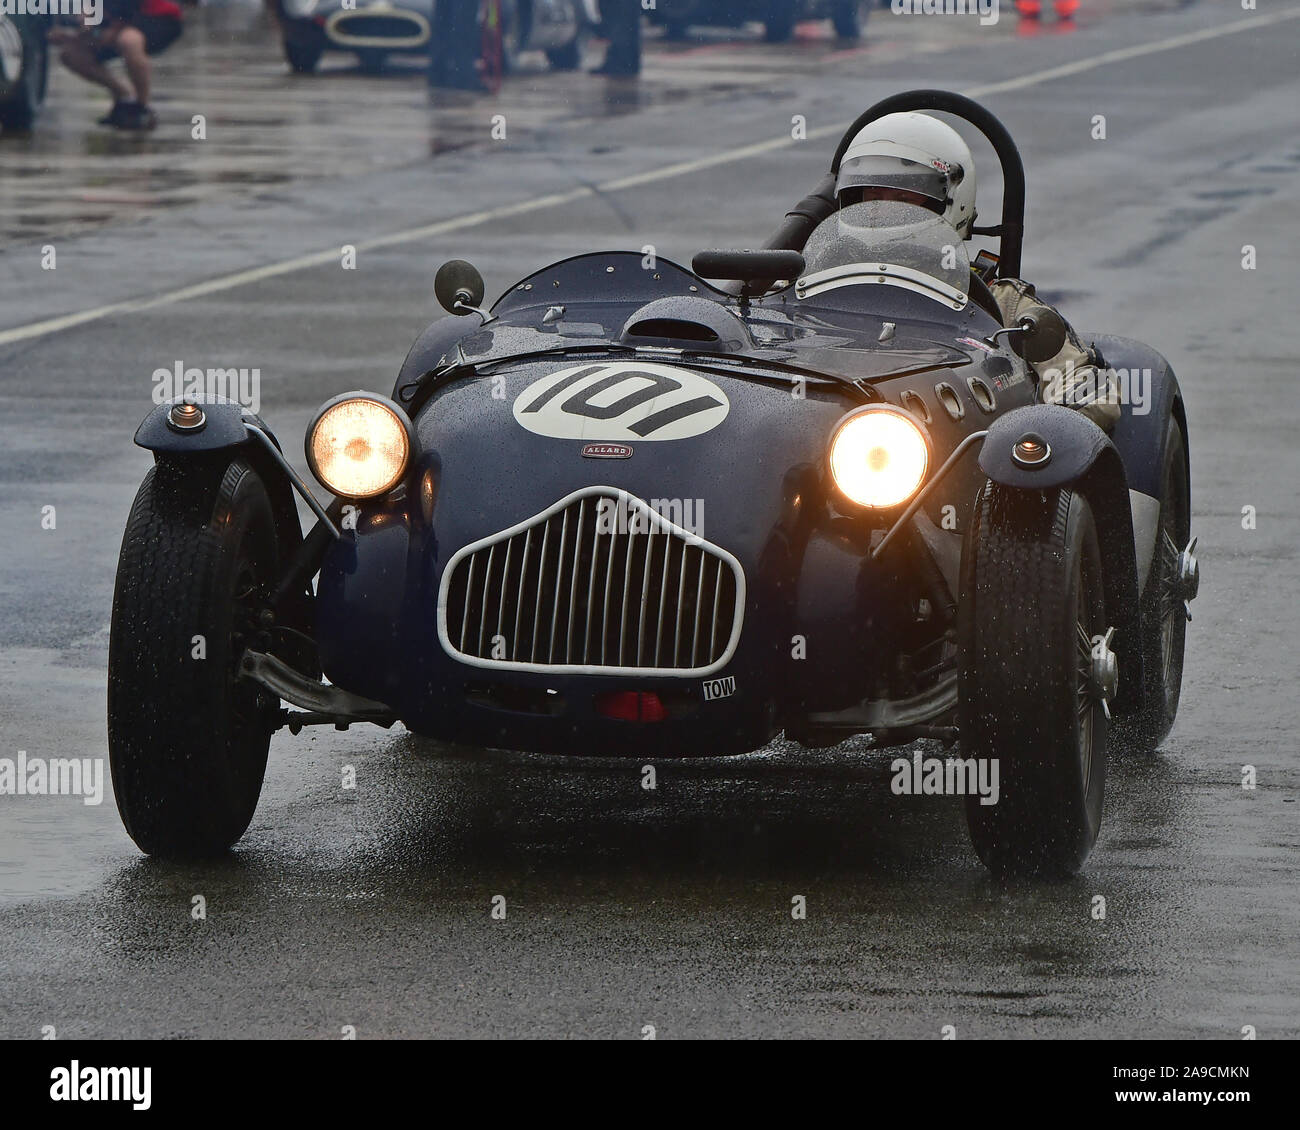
187,739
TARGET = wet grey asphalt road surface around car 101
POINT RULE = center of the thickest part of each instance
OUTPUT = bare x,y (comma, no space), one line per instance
626,908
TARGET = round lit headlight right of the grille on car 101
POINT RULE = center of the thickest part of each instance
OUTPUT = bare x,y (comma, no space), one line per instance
879,457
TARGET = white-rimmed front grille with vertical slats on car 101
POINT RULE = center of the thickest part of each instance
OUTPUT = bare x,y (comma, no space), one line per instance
600,582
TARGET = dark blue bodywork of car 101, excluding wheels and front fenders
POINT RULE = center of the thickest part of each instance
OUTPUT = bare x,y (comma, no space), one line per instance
821,626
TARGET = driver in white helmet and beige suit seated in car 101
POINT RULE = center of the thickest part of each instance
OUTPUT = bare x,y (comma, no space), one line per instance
917,159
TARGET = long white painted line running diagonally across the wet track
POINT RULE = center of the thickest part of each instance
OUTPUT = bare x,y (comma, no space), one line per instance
558,200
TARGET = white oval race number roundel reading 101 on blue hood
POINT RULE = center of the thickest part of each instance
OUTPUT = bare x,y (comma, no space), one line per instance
622,401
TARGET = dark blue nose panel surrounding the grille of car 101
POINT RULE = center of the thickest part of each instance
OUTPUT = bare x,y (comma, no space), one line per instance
743,487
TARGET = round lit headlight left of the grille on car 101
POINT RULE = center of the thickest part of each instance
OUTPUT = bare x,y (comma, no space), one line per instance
359,445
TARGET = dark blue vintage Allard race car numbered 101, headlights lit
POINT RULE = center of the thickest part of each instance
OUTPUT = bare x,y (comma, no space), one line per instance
627,512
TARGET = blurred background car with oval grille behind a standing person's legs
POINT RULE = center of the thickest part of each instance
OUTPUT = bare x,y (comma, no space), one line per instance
375,29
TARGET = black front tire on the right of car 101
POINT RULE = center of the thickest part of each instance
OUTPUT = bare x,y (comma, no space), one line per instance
1033,585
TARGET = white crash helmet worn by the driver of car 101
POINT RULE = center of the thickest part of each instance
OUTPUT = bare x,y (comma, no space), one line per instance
915,158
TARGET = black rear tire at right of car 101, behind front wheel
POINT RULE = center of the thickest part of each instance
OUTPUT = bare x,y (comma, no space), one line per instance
1164,621
